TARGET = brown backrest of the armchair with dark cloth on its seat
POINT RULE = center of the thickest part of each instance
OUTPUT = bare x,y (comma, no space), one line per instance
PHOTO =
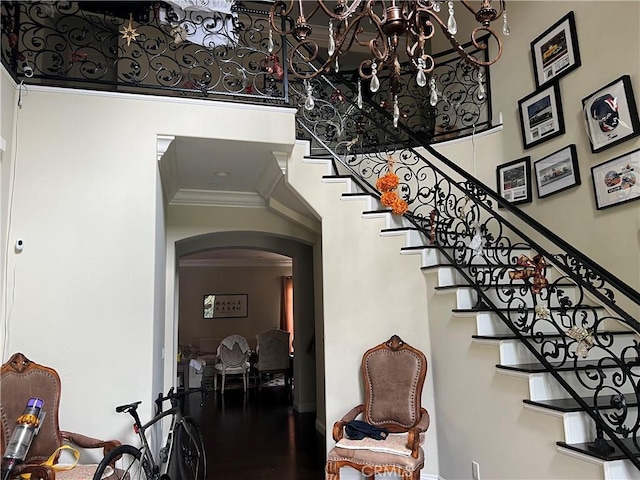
393,374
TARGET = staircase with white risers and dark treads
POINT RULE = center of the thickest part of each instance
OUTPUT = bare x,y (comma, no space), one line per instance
511,325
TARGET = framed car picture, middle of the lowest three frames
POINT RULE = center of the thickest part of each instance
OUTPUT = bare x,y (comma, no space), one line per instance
557,172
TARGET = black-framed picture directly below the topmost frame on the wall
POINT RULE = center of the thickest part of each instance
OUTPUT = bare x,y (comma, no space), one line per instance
541,116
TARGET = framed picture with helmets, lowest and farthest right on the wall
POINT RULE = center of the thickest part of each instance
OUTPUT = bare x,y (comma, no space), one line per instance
617,181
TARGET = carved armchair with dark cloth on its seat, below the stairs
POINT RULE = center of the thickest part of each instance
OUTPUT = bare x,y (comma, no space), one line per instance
393,374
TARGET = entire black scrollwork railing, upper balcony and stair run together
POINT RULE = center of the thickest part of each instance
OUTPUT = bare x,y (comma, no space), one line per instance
455,213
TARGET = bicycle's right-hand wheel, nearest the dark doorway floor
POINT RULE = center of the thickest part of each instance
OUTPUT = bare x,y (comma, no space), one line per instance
191,457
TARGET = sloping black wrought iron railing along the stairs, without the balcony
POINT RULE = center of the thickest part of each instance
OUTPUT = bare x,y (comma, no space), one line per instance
457,216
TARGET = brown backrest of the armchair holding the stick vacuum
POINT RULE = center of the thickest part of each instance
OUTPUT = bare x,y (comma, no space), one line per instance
21,379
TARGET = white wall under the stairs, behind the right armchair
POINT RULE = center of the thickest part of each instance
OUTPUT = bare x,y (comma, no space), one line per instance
370,292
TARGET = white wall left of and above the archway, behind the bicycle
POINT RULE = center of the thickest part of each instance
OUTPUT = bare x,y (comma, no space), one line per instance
86,294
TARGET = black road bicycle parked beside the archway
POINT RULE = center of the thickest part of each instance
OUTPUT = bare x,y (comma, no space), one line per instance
127,462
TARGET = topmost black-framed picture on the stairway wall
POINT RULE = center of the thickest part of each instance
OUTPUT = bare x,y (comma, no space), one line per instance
555,52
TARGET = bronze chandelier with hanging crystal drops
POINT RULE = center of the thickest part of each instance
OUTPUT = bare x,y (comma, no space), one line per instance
379,26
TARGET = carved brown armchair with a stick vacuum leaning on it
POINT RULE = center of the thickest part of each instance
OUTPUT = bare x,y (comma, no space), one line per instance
21,379
